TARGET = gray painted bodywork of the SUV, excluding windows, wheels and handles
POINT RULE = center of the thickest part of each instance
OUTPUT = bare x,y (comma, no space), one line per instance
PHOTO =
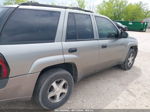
26,61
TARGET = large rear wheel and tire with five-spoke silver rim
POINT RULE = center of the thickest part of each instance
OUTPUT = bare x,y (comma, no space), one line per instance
50,84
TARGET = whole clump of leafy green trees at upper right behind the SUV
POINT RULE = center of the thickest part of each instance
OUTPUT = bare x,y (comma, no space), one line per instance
121,10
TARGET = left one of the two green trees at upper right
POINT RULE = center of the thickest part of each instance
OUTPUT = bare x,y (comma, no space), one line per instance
114,9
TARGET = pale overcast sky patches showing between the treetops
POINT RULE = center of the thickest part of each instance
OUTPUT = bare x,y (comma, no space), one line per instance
90,3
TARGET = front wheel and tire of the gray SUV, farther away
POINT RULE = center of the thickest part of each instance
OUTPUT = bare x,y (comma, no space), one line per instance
129,61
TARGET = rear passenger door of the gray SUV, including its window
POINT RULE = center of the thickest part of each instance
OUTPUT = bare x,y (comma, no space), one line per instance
80,45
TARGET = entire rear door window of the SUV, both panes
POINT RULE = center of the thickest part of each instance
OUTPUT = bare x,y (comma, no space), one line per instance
79,27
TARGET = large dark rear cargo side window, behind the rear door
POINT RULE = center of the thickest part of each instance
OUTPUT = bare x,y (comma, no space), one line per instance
30,26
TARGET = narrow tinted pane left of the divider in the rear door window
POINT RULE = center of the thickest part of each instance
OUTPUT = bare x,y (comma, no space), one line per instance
71,28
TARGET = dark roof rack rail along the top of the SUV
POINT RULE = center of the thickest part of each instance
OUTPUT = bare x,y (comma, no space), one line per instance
53,6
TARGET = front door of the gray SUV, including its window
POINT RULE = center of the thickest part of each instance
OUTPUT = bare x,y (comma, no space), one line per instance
111,47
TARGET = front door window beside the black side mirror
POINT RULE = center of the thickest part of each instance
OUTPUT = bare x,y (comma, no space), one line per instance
106,28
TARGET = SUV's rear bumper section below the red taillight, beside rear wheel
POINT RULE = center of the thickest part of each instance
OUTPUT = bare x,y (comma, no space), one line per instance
18,87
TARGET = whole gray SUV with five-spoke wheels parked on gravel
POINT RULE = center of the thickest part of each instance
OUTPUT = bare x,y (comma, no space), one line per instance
45,50
